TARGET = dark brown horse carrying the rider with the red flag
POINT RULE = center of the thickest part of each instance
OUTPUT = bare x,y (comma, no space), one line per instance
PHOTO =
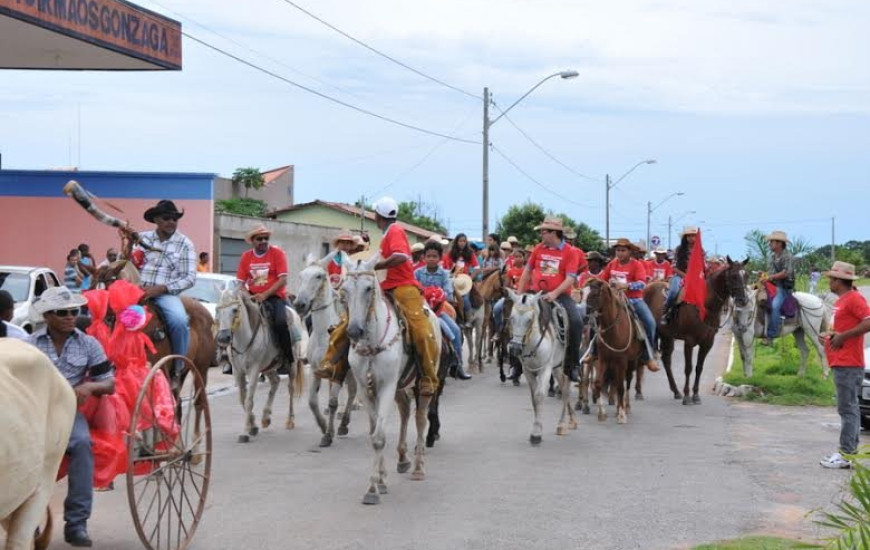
686,325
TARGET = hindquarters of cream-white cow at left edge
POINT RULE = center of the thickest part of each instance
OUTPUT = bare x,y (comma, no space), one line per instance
37,416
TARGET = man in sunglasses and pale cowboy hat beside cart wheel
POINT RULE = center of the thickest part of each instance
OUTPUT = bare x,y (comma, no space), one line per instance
82,361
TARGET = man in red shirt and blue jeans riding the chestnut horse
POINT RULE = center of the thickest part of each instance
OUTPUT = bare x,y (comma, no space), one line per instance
629,274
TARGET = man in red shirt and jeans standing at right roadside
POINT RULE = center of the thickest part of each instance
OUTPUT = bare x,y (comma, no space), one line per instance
844,348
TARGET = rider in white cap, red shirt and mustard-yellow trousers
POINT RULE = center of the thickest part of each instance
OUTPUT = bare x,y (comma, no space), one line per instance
396,260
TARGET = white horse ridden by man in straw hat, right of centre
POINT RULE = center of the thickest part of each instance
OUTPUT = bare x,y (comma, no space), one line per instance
541,355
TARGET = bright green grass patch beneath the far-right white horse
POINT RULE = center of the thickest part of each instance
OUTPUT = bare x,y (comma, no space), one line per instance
776,375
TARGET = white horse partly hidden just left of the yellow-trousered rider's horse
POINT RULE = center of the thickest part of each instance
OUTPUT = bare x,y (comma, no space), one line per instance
316,297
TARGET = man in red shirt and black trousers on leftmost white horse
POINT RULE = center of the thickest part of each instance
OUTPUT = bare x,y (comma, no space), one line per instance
264,271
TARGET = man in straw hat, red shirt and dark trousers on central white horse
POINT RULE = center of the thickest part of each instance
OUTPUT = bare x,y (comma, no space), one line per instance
552,269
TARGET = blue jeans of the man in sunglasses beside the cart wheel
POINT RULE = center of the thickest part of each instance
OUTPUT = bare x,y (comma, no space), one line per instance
80,493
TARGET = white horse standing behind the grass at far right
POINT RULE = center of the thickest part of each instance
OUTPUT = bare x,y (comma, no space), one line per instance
748,323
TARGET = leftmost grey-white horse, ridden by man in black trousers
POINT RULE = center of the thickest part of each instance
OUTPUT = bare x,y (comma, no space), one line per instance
244,329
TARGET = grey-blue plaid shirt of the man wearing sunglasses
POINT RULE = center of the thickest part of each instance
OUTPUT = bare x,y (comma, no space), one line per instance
82,356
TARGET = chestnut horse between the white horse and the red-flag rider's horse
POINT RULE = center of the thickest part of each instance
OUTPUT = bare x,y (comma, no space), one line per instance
619,348
